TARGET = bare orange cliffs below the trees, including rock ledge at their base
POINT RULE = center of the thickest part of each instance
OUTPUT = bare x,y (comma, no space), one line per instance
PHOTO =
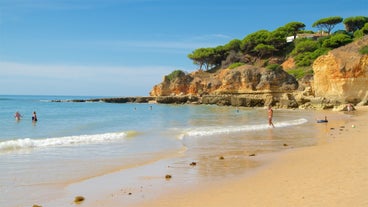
339,77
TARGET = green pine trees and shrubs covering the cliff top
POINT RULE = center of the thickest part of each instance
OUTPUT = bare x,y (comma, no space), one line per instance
271,48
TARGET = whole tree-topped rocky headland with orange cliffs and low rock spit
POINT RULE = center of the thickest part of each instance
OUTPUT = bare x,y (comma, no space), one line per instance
286,68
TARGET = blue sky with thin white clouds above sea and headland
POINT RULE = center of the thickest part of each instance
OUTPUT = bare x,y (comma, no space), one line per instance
125,47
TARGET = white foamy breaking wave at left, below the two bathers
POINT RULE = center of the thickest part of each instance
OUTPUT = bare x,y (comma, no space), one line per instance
28,143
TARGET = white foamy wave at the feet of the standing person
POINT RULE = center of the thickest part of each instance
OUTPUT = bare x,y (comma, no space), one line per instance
216,130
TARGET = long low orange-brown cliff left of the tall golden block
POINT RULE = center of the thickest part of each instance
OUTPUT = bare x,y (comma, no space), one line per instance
244,79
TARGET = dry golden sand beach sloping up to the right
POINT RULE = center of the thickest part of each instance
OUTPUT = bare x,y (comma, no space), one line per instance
333,173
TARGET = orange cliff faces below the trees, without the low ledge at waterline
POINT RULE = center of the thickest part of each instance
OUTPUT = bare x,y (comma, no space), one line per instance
340,76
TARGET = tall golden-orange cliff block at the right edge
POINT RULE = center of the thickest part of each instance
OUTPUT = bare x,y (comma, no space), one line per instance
342,74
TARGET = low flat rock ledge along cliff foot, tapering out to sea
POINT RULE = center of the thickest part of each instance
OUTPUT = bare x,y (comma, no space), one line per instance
277,99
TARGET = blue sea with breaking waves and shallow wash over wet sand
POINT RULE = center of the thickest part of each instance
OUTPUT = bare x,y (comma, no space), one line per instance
75,141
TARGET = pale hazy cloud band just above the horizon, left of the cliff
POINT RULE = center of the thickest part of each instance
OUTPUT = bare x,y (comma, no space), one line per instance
20,78
